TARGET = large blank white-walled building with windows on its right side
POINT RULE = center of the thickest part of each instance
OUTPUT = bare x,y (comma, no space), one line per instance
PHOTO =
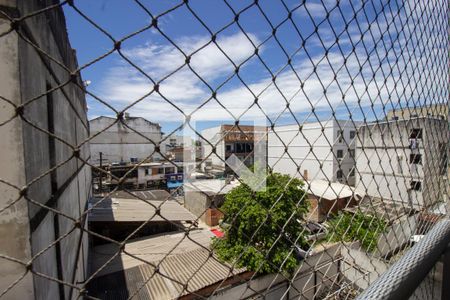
319,150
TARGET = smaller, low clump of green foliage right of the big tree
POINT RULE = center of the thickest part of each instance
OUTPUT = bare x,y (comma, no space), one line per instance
348,227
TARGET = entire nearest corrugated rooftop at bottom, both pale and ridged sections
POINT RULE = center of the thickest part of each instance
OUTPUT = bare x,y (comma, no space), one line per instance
188,265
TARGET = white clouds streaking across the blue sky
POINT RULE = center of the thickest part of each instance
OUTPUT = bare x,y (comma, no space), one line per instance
377,82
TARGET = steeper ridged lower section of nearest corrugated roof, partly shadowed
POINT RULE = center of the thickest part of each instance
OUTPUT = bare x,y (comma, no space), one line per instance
194,269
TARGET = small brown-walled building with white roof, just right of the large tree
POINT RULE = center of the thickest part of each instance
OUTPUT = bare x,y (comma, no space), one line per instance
328,198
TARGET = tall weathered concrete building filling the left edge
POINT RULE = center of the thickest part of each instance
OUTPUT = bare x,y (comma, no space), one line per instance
37,166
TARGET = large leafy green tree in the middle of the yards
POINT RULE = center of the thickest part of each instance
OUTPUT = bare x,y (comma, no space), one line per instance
272,217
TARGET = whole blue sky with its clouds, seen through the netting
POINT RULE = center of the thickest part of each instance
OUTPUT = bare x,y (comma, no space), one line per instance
118,83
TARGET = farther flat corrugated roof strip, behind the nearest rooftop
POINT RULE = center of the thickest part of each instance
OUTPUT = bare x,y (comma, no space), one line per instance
135,210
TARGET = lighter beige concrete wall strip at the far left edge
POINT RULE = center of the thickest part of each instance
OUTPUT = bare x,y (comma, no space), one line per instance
14,226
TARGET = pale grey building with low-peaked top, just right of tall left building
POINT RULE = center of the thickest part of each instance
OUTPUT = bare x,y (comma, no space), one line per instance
129,140
